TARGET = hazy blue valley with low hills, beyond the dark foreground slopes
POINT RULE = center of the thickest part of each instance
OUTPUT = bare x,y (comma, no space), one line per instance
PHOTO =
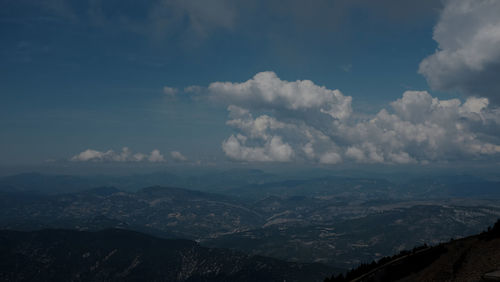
342,222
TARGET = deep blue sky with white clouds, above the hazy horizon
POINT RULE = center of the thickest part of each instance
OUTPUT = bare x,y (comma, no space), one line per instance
331,83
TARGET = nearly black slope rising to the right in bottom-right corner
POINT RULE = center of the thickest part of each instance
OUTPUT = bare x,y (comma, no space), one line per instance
467,259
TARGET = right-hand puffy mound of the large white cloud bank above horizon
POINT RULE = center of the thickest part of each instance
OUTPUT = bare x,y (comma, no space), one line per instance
423,128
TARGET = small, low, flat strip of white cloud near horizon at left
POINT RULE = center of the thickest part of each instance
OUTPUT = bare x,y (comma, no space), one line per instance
111,156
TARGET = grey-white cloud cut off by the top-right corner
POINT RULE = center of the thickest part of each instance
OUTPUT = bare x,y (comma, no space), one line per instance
468,55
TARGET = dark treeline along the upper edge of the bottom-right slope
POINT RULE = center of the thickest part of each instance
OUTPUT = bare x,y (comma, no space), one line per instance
410,261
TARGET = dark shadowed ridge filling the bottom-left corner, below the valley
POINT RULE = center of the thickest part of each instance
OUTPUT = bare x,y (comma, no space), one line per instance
121,255
